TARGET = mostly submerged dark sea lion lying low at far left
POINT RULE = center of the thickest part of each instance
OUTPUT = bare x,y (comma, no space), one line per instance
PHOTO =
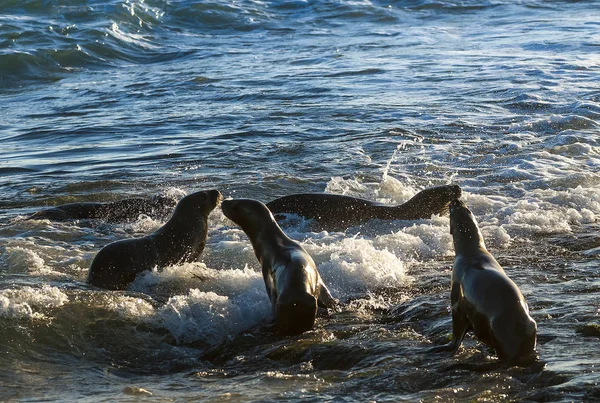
157,207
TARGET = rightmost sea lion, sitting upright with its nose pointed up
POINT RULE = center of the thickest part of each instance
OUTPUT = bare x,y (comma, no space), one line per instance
483,298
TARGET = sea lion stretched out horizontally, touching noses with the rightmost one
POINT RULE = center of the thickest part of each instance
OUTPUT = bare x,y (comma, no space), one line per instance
337,212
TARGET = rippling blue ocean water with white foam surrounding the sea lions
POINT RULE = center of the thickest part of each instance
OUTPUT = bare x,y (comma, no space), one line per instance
104,100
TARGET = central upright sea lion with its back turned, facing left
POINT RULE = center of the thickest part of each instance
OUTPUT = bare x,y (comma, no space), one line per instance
292,280
